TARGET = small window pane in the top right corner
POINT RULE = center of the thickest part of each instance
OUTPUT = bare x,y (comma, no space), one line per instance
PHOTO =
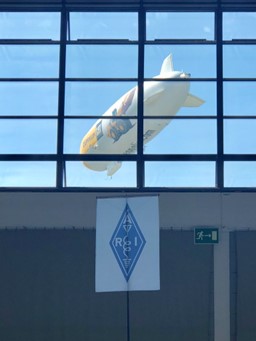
239,25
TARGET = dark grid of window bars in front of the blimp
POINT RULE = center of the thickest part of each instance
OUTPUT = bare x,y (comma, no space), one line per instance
61,158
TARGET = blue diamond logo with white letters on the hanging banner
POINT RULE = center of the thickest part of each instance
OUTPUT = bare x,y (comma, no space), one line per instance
127,242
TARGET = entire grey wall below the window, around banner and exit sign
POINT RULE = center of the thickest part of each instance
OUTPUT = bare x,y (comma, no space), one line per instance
47,243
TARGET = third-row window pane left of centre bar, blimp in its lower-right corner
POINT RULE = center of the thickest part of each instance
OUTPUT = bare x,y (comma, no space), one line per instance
95,98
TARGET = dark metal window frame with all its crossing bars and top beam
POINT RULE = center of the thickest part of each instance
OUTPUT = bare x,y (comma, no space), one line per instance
140,7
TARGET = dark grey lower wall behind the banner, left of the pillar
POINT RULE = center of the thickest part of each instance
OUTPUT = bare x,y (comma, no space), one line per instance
47,291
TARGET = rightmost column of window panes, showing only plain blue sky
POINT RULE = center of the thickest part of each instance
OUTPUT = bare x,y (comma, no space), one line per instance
239,48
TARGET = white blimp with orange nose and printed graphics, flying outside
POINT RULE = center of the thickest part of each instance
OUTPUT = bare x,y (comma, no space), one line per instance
117,132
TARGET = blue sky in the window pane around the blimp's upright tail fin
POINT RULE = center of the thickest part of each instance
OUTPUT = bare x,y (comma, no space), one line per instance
198,60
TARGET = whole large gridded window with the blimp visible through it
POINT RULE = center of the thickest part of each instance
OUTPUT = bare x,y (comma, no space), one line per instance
140,99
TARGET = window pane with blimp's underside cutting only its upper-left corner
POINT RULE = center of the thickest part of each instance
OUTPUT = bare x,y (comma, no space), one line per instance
181,136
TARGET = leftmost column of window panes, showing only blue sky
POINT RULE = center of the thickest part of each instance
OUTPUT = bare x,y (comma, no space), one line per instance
29,74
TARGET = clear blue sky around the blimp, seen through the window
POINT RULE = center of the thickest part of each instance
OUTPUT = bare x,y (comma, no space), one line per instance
184,136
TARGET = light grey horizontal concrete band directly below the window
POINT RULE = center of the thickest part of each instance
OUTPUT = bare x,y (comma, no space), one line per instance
231,211
